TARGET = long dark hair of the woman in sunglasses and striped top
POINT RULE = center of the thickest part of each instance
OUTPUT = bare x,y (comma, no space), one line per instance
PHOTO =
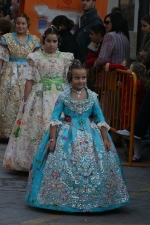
118,23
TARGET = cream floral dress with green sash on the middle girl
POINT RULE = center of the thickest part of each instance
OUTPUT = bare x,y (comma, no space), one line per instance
48,75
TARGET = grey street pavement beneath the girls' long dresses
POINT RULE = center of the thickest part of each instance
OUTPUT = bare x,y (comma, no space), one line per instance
15,211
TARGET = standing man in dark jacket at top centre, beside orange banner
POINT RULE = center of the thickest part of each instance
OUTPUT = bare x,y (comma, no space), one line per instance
87,20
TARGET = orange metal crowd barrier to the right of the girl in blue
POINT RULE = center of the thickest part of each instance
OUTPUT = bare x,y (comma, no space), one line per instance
118,103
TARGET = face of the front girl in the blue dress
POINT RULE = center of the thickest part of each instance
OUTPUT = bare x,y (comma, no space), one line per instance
79,79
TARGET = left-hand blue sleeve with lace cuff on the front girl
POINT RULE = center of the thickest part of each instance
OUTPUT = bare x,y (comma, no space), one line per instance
57,111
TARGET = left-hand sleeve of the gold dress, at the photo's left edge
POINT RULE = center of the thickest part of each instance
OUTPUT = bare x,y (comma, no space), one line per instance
4,53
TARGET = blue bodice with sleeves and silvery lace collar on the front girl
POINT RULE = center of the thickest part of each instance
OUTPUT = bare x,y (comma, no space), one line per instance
79,113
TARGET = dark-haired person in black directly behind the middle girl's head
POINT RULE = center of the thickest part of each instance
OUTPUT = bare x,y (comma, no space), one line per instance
64,25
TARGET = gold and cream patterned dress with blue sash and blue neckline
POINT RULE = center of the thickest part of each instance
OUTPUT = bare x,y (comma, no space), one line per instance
14,54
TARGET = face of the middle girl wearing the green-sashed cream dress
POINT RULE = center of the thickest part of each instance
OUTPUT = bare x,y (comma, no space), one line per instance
51,43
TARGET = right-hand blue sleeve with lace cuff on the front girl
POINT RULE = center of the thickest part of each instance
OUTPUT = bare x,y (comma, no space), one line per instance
98,116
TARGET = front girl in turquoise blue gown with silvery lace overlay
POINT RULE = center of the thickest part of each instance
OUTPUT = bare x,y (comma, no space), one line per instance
76,168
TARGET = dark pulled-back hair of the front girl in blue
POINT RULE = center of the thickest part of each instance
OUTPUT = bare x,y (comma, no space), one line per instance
76,64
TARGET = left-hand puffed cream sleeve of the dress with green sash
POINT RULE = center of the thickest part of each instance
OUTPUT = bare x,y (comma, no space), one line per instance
32,72
